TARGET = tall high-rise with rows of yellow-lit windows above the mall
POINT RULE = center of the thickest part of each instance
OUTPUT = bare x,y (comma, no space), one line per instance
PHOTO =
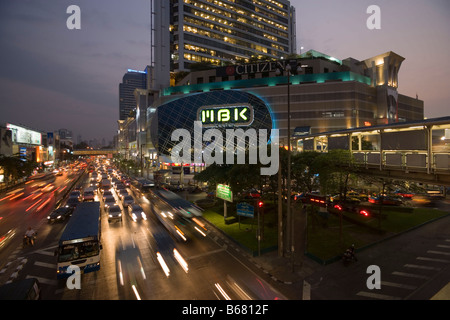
218,32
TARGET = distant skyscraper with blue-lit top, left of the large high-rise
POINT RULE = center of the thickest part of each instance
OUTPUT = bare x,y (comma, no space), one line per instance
131,80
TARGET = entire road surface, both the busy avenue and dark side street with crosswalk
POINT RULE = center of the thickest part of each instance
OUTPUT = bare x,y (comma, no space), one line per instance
415,265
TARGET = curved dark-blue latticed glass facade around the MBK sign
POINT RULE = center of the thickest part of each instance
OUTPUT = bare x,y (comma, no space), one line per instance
183,112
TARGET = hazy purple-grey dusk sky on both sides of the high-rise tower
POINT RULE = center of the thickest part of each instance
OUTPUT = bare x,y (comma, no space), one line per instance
52,77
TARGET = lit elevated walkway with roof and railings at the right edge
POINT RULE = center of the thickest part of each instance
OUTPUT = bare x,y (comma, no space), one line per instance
418,150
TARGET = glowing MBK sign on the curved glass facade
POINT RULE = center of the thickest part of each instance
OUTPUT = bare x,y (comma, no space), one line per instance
225,115
